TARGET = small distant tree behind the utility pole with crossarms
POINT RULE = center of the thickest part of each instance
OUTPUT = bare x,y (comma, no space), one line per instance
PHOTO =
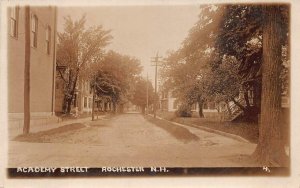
140,93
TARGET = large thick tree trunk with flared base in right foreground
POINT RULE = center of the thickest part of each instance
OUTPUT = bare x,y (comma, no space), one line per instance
270,148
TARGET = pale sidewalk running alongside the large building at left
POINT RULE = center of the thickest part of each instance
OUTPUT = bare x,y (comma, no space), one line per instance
13,132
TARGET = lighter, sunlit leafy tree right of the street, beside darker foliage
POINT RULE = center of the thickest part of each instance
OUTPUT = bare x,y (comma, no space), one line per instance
186,70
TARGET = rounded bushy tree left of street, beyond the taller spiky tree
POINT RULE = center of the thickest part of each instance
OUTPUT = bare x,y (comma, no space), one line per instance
114,77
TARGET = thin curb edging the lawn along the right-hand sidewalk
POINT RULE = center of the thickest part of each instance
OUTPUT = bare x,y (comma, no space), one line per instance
232,136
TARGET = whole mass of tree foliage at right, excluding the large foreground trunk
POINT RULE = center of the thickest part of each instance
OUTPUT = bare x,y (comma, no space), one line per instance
221,57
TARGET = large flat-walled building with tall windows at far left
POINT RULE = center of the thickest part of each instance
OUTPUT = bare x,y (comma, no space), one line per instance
42,64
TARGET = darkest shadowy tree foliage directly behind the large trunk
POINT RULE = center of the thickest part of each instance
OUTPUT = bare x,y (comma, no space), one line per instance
240,35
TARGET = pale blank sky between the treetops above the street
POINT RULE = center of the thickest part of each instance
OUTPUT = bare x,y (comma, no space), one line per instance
139,31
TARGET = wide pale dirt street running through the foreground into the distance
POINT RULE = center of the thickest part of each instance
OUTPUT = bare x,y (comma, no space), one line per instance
126,140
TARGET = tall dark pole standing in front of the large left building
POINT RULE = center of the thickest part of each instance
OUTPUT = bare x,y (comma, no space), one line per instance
26,126
